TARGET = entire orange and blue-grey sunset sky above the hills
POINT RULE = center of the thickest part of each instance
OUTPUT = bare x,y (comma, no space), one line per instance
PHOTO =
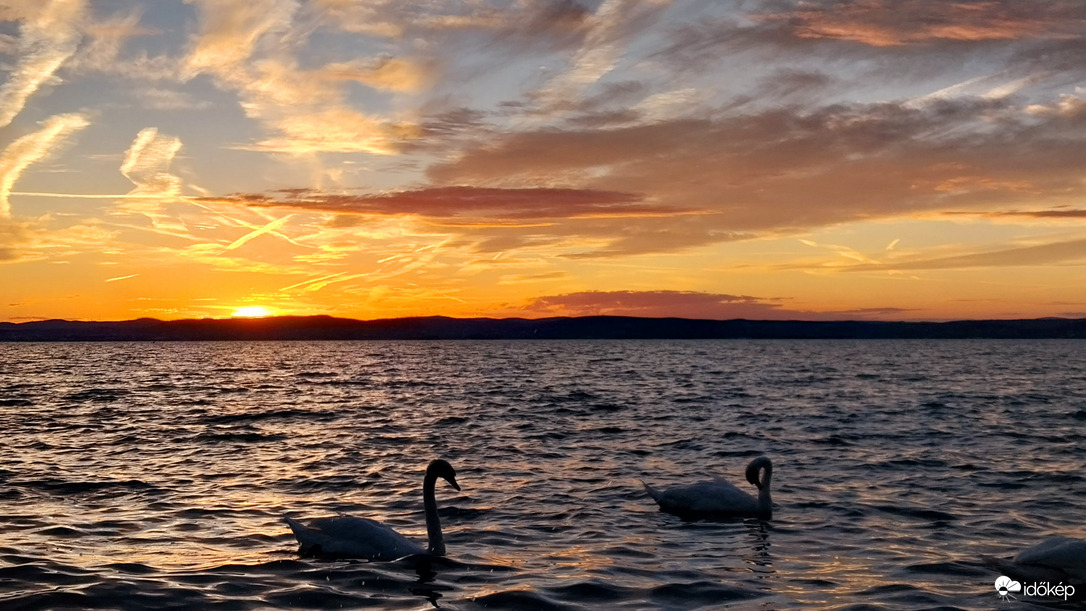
876,160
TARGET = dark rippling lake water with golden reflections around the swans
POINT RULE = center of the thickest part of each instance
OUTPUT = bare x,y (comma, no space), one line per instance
156,476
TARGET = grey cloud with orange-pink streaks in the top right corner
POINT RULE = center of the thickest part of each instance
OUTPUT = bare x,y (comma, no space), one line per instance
872,40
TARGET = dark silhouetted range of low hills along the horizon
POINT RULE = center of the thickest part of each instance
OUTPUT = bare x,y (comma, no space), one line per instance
582,328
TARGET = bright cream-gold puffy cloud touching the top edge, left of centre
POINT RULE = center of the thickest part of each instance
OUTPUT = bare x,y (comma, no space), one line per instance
248,47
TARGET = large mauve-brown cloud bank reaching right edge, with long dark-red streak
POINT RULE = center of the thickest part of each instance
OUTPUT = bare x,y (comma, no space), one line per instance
675,185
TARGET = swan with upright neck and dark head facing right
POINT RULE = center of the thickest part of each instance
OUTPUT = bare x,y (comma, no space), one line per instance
346,537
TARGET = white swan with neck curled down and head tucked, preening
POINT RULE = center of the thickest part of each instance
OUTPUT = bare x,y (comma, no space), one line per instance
718,498
